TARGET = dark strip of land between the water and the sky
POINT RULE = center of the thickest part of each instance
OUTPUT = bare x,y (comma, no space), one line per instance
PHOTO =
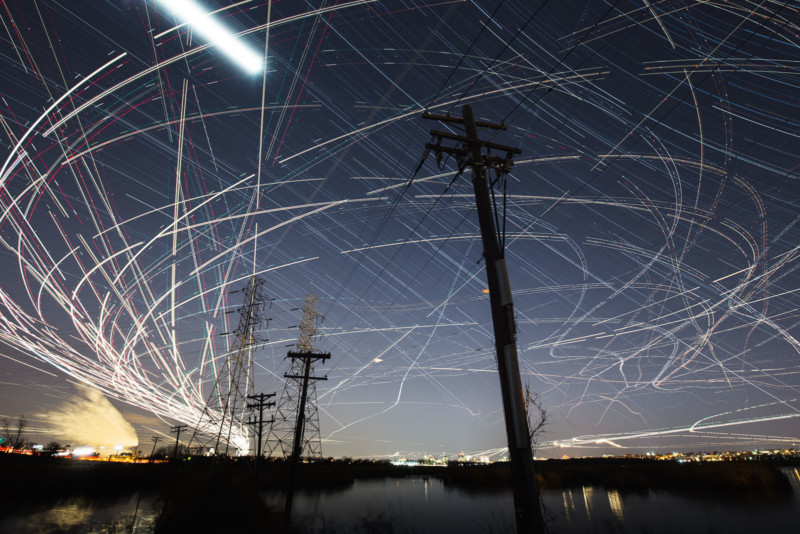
47,478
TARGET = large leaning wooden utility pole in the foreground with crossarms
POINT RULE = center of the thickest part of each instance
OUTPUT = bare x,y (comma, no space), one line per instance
470,152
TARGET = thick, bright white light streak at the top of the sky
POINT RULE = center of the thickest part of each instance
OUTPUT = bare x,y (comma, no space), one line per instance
210,29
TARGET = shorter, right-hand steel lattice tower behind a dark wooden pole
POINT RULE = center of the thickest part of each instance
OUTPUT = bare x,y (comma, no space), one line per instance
295,429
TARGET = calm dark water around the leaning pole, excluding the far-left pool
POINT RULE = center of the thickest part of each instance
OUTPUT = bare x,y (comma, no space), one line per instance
426,506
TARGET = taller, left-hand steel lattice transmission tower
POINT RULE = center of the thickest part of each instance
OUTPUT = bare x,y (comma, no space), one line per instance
225,415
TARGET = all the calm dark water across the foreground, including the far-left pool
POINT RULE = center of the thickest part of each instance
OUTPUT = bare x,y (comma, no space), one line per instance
416,505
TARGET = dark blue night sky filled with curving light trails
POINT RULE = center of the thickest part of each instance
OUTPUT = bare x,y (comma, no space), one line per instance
651,223
